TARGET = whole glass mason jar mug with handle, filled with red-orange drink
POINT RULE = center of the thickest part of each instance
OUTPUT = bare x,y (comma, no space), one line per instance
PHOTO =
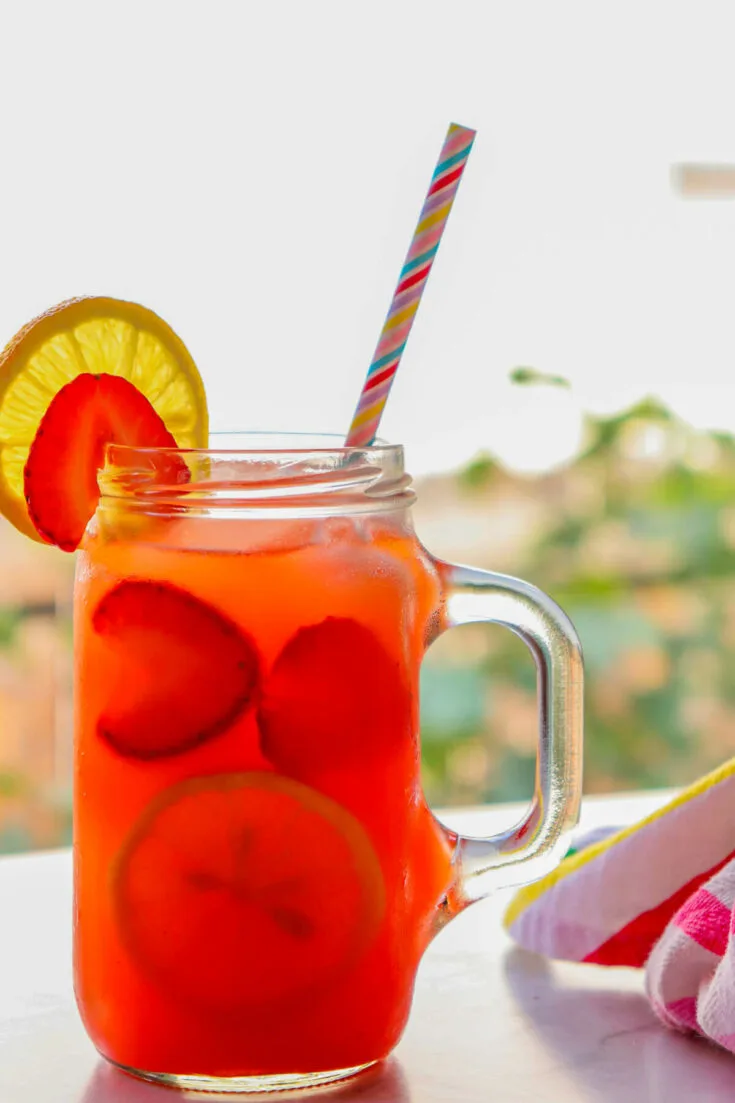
257,871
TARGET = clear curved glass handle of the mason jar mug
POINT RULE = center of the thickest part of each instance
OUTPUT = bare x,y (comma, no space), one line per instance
540,840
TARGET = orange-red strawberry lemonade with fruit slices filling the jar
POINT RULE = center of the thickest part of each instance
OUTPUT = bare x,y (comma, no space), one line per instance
258,872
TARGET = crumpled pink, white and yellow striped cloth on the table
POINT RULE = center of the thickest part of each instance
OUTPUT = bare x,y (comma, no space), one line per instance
658,896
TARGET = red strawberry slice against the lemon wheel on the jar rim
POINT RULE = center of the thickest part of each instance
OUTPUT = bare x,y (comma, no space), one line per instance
69,451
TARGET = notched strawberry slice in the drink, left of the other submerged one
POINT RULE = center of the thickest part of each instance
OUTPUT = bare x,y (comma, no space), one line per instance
179,671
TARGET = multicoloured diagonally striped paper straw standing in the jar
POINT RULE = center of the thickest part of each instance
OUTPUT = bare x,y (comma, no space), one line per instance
412,282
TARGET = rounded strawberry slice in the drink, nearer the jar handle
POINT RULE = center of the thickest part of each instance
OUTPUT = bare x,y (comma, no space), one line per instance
335,697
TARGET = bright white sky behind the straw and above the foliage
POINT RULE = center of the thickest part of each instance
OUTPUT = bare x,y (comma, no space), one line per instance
254,172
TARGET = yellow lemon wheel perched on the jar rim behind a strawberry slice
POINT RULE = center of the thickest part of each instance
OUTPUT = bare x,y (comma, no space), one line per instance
95,336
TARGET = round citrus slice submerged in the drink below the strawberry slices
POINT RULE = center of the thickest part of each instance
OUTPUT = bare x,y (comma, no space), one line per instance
243,891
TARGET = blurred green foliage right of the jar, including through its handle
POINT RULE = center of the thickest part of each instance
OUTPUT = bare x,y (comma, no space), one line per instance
636,540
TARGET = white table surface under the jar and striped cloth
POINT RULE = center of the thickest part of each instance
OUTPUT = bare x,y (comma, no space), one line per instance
489,1023
